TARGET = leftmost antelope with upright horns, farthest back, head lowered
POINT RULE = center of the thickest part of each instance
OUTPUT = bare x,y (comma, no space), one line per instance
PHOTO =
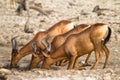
57,29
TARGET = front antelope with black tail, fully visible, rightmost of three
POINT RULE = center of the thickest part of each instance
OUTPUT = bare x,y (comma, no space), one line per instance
91,39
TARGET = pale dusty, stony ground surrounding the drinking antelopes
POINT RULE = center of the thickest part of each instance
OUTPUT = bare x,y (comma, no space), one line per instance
79,11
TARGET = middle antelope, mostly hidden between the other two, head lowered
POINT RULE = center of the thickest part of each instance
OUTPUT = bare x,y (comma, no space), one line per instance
57,41
